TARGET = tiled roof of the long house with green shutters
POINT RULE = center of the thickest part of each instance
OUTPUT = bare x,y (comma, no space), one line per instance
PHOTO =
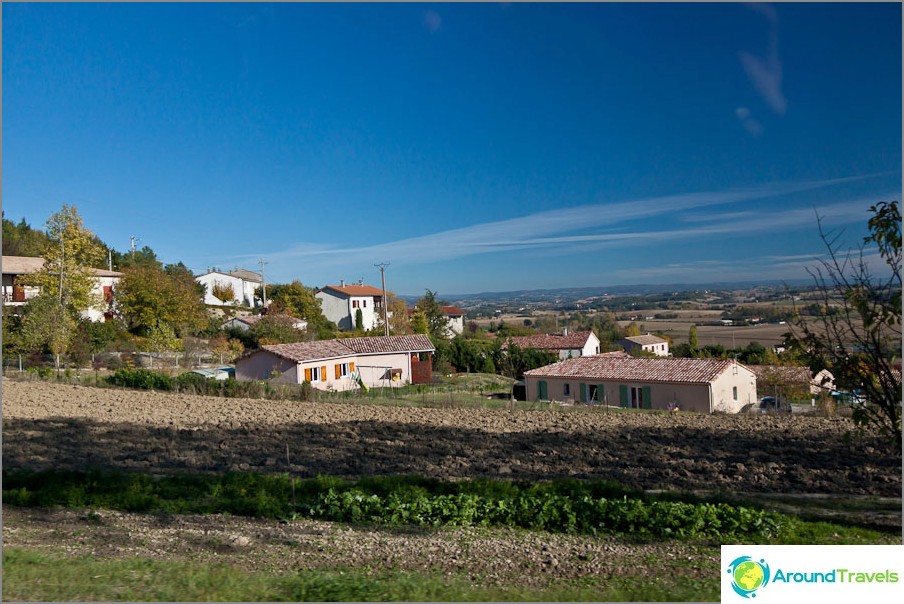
660,369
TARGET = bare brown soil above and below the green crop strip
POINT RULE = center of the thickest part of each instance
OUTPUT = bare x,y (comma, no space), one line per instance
49,425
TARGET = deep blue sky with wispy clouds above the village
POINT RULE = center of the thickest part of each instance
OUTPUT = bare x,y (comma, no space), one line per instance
474,147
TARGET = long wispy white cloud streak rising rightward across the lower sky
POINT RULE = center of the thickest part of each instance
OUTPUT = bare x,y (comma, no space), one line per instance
565,230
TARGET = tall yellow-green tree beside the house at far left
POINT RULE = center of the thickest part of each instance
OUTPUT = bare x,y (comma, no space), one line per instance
70,255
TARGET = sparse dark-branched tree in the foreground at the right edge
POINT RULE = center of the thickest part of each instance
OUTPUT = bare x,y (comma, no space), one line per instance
861,342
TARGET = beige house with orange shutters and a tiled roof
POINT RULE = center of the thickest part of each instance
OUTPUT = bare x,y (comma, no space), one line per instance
340,364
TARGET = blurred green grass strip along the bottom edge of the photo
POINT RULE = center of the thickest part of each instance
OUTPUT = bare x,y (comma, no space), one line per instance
31,576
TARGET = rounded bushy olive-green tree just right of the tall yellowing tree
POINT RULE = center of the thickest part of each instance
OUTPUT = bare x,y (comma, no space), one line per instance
148,297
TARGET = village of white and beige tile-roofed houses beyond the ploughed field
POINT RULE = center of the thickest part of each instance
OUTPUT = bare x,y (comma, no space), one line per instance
267,337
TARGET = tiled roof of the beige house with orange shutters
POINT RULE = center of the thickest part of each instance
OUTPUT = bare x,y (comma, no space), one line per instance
343,347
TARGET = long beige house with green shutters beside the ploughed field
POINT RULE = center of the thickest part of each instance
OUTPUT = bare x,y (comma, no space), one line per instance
701,385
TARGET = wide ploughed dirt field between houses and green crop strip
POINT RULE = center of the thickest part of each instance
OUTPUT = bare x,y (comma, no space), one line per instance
52,425
